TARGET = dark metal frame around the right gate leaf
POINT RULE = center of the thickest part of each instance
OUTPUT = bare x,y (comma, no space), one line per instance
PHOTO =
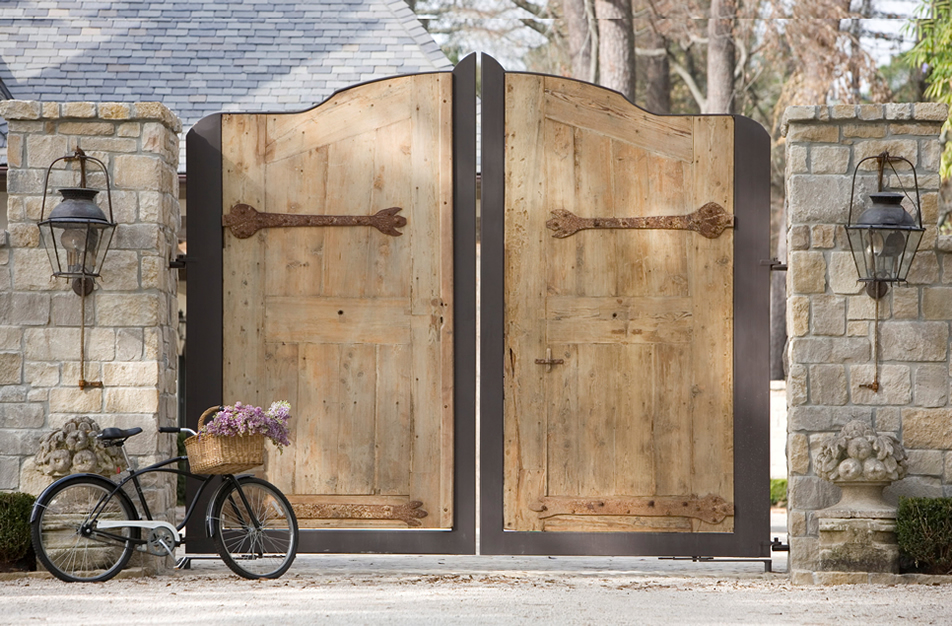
751,347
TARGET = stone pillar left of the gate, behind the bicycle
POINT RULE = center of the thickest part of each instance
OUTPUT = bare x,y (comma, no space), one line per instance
131,318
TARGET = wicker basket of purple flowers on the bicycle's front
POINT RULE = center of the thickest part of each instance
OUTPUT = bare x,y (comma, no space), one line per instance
233,441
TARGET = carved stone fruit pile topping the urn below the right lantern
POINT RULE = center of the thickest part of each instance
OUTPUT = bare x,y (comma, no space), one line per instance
859,454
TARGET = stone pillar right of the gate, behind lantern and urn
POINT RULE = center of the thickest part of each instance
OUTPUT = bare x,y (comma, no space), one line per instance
830,325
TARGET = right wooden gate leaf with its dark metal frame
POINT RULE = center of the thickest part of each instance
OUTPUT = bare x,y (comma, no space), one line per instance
624,372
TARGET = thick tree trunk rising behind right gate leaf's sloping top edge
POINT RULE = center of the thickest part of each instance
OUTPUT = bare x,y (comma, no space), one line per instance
616,46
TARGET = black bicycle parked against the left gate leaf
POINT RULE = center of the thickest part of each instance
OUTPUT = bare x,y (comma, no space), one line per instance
85,527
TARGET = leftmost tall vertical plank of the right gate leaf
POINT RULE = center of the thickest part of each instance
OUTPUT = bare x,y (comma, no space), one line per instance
525,213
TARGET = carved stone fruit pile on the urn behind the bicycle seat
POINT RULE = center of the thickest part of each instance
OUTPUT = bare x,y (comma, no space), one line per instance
74,449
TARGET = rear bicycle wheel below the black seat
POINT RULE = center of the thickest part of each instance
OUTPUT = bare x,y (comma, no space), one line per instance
65,535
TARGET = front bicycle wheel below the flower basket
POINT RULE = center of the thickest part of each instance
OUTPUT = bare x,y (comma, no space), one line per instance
258,540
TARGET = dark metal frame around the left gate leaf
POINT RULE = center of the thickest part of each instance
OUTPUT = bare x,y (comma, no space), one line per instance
204,341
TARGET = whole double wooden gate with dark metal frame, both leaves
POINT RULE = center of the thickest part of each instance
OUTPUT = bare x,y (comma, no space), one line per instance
624,326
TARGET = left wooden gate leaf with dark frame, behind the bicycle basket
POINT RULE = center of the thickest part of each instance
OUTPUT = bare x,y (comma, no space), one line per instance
345,285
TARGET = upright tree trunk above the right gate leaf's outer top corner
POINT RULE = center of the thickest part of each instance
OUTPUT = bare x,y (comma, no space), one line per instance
720,57
